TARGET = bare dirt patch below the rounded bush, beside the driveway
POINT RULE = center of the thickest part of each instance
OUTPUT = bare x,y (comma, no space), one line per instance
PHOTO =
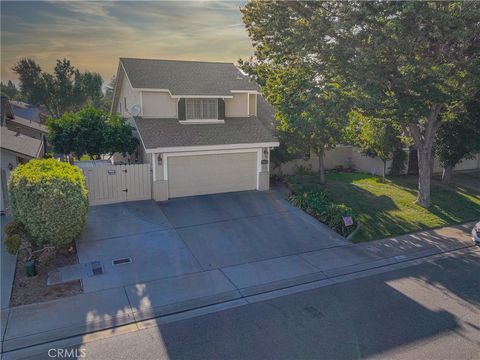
29,290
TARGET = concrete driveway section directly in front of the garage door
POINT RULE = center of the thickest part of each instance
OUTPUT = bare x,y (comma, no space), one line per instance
236,228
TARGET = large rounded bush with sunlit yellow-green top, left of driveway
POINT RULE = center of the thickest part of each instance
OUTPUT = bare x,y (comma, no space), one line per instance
50,199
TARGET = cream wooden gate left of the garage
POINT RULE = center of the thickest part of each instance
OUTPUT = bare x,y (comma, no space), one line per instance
118,183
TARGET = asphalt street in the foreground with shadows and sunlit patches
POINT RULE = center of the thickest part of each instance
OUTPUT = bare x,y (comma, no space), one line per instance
428,311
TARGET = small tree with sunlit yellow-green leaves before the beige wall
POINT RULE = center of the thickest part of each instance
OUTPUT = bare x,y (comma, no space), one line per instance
376,137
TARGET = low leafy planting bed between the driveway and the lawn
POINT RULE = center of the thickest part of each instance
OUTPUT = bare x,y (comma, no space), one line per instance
316,202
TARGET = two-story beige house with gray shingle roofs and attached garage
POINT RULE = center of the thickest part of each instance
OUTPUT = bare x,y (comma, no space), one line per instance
203,126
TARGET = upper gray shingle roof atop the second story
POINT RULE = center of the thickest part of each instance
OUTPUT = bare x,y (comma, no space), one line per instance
186,77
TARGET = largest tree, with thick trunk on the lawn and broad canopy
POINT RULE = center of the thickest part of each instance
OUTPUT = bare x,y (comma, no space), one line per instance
408,61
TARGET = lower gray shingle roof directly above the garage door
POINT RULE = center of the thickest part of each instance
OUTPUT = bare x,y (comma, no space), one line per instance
160,133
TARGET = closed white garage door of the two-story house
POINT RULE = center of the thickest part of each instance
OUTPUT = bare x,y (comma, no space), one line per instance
210,174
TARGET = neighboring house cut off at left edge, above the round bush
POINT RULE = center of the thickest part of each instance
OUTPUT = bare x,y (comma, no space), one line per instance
21,140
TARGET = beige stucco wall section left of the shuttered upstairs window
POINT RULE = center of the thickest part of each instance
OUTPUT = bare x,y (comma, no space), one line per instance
158,105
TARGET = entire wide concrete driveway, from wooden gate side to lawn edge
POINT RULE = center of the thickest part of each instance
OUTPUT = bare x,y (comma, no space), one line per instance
195,234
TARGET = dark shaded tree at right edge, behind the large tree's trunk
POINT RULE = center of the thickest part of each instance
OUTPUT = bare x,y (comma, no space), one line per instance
458,139
